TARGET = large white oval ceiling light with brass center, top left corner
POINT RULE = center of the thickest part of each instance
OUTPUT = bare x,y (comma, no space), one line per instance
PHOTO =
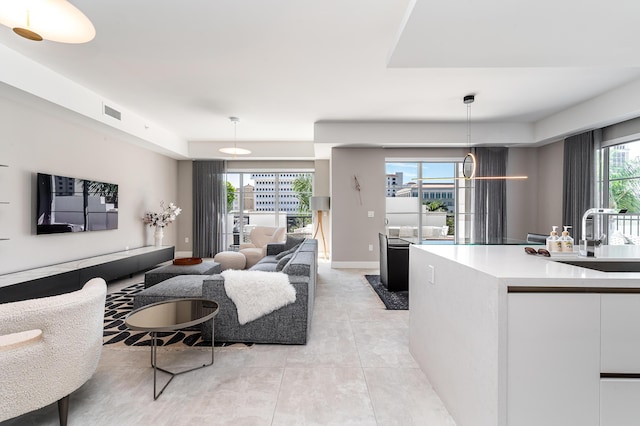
54,20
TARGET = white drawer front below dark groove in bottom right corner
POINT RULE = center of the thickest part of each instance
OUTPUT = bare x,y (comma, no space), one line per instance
619,402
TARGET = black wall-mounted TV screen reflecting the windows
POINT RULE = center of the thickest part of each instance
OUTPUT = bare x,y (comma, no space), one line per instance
67,204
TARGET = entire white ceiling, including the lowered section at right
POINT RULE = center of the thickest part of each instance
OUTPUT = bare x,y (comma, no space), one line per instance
282,65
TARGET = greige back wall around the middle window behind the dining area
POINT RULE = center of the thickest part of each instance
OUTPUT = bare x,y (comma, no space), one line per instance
352,229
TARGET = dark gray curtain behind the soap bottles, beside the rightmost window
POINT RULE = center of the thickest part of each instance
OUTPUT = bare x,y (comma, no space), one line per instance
578,181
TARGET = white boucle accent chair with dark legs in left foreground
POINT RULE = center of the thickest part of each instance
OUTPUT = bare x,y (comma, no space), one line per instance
49,347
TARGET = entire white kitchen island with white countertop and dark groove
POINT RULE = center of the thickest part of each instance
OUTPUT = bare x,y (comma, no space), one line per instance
507,338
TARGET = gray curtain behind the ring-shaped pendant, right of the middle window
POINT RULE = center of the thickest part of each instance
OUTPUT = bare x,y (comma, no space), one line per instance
490,220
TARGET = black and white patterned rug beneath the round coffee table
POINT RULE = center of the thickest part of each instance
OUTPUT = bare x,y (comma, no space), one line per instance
119,304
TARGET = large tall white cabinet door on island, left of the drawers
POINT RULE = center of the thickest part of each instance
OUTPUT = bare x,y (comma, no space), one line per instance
553,365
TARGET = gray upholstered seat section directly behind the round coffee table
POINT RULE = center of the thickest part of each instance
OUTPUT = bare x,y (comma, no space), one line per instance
178,287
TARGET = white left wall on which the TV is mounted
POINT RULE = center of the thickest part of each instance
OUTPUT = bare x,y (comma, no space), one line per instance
39,137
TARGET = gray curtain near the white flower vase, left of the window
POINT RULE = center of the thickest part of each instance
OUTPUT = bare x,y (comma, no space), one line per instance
209,207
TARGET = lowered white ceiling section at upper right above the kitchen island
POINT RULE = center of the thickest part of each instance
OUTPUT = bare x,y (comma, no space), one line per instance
520,33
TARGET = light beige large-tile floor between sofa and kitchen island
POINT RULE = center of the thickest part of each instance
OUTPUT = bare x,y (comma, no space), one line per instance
356,369
